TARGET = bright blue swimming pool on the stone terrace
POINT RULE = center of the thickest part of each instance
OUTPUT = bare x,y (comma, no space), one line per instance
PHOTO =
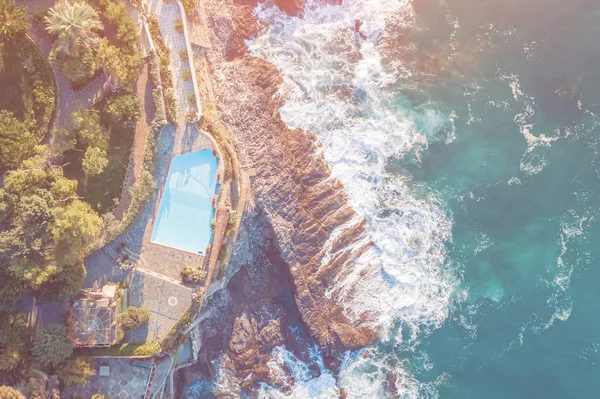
185,211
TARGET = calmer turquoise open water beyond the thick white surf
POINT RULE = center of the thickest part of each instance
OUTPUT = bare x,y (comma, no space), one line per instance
524,321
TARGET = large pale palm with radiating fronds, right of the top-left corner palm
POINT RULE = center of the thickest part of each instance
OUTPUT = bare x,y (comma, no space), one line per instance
74,24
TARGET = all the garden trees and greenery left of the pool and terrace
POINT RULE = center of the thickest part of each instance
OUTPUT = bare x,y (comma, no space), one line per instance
56,198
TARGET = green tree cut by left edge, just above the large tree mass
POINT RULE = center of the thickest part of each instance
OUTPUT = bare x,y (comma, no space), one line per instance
16,141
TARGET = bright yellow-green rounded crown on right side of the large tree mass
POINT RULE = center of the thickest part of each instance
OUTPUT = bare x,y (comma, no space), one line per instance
76,226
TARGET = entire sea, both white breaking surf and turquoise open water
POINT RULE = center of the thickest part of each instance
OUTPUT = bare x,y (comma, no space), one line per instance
466,133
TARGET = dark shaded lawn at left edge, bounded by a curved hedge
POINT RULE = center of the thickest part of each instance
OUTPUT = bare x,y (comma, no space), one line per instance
27,84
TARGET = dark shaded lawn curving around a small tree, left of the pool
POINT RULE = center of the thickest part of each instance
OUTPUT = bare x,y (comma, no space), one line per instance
102,192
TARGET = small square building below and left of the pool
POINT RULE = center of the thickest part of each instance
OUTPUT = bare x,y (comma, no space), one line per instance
95,318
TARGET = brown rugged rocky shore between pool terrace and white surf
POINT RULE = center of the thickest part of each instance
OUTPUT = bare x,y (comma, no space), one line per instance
292,249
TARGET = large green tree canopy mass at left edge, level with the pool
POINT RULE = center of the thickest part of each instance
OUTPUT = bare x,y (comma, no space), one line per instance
45,232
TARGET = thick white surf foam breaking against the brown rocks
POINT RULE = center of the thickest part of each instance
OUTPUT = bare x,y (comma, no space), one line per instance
336,86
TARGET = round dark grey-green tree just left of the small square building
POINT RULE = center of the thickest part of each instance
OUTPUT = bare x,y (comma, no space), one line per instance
52,344
